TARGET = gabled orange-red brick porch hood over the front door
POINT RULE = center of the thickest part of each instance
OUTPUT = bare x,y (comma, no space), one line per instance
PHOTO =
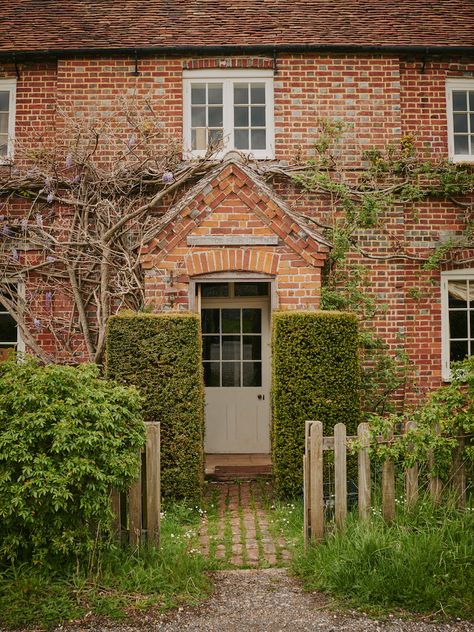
232,221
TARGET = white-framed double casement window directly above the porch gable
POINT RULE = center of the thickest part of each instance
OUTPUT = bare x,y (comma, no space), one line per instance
228,110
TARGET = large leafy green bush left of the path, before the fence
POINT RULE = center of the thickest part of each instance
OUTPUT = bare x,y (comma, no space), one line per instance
66,437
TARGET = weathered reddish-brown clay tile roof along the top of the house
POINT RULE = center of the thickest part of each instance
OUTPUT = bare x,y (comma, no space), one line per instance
61,25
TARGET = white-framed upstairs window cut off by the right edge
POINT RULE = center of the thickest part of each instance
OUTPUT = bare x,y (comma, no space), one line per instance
460,109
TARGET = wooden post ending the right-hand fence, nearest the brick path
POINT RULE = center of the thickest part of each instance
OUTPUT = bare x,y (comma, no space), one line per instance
316,476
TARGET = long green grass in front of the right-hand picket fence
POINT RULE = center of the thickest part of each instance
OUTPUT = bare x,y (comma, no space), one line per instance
421,563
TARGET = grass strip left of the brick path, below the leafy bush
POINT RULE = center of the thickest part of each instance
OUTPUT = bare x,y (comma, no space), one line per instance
125,583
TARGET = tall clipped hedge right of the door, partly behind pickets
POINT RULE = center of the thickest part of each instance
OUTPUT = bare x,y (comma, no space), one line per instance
316,375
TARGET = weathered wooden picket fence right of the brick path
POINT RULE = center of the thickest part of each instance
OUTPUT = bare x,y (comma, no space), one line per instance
313,471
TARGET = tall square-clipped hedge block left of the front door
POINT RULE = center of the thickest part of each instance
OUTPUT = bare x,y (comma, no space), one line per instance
161,355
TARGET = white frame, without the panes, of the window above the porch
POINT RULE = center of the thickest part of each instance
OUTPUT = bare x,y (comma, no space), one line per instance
228,78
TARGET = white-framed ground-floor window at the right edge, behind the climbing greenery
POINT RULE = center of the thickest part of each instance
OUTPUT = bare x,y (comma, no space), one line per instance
457,316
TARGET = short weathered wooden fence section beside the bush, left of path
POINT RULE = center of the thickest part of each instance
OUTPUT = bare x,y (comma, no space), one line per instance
137,513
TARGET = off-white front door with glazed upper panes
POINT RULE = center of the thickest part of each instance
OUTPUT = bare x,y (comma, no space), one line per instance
236,358
